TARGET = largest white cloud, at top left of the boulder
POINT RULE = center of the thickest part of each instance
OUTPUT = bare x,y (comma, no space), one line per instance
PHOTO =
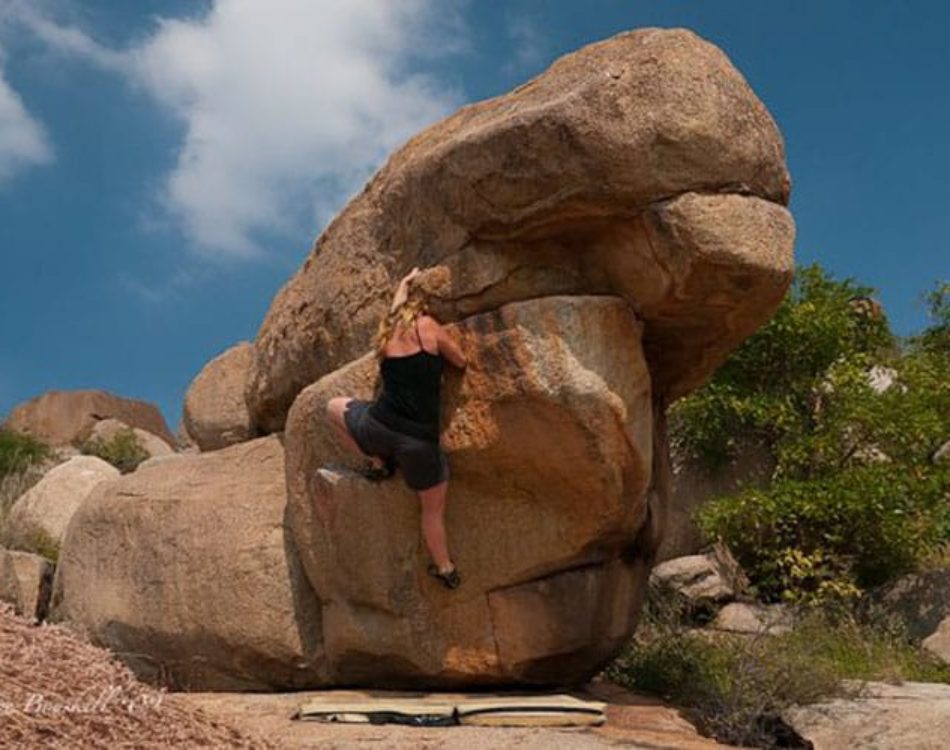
286,105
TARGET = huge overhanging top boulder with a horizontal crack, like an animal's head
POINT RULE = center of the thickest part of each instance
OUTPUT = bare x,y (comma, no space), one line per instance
642,166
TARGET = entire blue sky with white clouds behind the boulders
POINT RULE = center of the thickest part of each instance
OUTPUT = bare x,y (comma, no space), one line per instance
165,166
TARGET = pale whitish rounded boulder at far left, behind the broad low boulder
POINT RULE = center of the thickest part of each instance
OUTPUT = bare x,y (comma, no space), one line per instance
51,503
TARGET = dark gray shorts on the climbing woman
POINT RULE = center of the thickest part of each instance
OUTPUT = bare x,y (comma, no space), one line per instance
423,463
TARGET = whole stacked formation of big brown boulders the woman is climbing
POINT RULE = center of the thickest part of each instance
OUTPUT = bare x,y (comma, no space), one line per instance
599,240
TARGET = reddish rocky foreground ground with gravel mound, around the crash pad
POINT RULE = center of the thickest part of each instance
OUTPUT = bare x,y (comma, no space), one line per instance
60,691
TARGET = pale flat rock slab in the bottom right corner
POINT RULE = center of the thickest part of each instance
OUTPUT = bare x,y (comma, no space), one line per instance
887,717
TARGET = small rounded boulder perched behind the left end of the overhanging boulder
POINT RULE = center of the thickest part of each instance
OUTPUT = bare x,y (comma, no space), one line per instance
215,414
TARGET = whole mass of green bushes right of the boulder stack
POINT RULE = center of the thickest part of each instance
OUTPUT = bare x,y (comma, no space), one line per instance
855,498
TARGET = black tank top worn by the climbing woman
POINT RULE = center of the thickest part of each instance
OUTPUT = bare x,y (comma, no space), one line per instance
409,402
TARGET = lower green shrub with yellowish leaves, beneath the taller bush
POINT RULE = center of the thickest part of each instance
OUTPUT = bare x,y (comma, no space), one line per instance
863,526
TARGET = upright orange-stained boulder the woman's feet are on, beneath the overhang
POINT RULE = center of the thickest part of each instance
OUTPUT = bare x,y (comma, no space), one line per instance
549,432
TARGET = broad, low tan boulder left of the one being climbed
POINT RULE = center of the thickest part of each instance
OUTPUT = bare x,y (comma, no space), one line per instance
185,570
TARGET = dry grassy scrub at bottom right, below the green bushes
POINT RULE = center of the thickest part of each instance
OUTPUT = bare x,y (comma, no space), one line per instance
734,687
